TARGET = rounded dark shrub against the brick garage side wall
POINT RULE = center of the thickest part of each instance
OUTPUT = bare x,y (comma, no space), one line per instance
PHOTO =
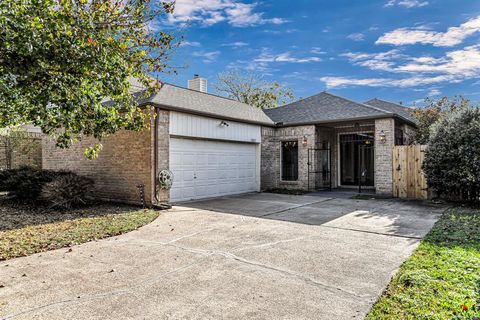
67,191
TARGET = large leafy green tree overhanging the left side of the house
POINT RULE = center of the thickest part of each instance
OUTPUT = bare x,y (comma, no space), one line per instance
61,59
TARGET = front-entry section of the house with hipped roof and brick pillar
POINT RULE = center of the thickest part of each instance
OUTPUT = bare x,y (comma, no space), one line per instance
326,141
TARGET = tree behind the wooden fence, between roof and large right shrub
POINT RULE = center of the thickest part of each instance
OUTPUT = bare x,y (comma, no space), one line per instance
433,111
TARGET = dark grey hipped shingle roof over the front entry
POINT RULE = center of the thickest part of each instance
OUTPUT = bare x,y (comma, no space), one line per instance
323,107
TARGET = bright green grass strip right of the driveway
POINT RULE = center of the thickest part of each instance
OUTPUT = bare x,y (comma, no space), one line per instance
441,280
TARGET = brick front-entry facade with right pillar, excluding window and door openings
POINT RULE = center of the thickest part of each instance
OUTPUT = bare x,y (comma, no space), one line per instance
317,137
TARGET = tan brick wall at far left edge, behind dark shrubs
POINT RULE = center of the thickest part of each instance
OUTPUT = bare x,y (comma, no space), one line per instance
25,151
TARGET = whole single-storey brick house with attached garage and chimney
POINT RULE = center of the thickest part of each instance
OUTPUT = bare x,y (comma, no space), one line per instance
216,146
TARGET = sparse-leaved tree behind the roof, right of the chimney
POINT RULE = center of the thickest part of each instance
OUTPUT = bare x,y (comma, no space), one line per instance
251,89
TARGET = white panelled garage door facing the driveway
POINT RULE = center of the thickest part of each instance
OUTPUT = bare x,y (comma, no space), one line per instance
205,169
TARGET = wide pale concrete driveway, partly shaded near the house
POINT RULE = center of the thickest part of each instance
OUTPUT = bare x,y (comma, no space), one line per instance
255,256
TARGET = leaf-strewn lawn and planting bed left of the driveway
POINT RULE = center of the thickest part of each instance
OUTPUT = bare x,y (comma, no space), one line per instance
25,230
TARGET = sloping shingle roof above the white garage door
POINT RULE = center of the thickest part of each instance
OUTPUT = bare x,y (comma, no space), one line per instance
192,101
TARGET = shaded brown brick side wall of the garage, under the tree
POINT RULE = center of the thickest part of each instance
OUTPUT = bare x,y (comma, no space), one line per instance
124,162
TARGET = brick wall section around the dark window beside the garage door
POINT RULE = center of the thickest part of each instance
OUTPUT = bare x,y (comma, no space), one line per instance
270,159
